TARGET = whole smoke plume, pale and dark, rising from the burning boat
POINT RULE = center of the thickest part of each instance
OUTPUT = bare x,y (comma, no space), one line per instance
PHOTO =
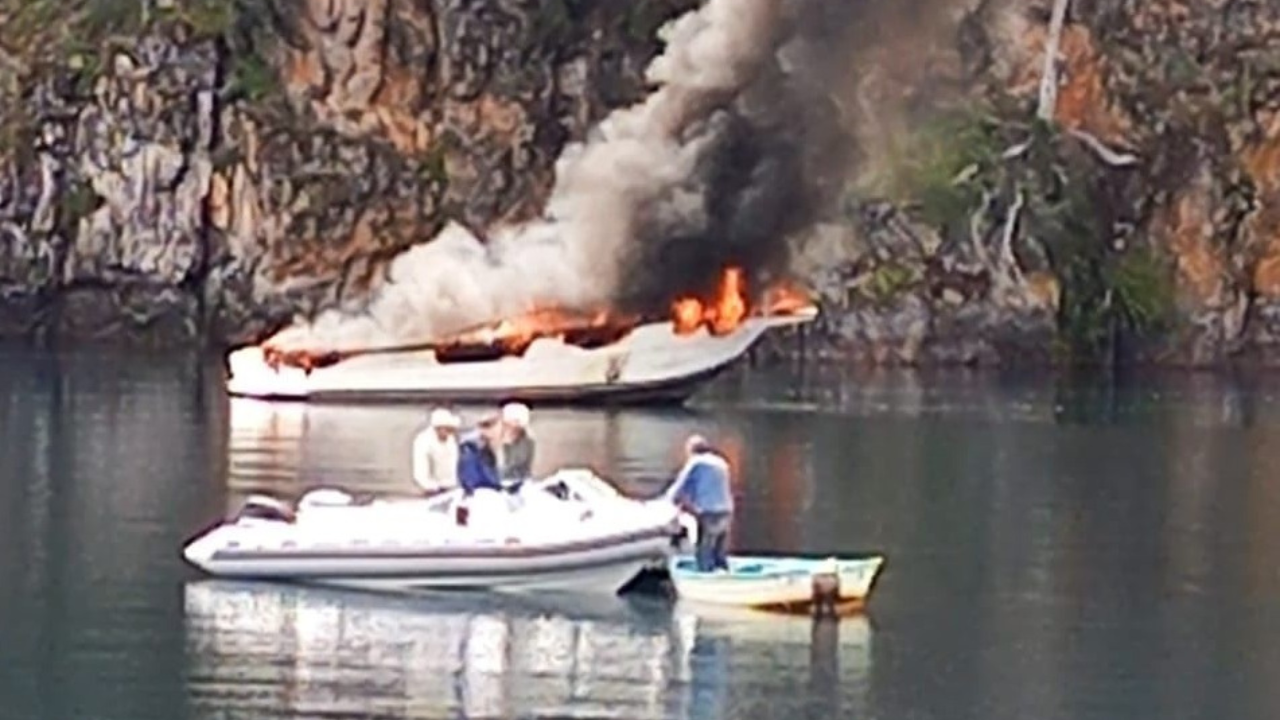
744,142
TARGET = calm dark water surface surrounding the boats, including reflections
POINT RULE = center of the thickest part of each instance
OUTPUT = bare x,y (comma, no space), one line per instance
1054,553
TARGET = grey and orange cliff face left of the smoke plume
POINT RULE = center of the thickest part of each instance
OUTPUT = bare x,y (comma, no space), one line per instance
208,170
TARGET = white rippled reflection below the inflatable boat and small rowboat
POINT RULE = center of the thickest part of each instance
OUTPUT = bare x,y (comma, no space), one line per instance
272,650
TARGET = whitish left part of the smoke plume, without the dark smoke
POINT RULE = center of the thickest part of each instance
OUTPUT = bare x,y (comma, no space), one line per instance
572,258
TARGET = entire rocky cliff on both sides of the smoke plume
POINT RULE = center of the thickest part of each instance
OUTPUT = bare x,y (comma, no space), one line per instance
208,170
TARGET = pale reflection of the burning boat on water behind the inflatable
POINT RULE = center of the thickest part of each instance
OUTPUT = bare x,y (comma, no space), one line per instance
287,449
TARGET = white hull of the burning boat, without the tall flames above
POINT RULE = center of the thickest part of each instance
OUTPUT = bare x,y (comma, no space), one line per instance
650,363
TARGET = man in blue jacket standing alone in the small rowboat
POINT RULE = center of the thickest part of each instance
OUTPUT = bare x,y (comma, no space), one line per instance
703,489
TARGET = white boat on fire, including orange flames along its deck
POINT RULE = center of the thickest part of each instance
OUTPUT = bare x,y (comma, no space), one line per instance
546,357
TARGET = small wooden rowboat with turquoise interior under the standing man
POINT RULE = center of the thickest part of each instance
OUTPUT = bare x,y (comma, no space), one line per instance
781,585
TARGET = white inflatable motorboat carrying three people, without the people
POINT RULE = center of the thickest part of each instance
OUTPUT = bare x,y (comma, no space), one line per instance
570,532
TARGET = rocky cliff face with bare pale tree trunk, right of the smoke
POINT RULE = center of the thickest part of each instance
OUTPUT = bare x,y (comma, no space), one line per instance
1135,221
